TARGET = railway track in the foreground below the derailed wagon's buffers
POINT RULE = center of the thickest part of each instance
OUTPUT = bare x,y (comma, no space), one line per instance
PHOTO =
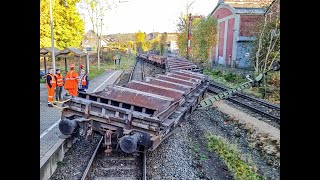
117,166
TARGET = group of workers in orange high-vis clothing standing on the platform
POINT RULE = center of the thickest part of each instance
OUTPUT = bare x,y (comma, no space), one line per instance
72,82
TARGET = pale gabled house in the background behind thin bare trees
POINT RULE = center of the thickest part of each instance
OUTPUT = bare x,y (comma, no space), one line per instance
90,39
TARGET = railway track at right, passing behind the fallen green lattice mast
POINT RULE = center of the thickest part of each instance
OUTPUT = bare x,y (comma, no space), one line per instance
261,107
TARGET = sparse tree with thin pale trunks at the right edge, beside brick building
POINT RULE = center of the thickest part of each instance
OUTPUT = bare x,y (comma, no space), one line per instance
266,47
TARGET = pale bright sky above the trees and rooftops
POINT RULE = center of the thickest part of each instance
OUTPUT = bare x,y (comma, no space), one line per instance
150,15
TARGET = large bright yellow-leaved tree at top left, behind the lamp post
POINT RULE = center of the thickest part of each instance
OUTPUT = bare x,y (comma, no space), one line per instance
68,26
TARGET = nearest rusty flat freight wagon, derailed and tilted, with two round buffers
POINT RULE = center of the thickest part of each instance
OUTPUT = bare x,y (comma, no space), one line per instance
140,115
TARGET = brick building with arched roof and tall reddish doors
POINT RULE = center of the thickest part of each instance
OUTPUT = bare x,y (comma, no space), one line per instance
236,22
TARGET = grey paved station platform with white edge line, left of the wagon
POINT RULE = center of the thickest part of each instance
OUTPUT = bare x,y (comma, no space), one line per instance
50,117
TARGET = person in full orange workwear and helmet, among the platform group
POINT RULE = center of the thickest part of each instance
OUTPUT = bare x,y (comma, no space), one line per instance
71,81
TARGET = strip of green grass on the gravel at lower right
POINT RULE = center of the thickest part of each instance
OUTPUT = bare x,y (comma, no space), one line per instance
232,158
